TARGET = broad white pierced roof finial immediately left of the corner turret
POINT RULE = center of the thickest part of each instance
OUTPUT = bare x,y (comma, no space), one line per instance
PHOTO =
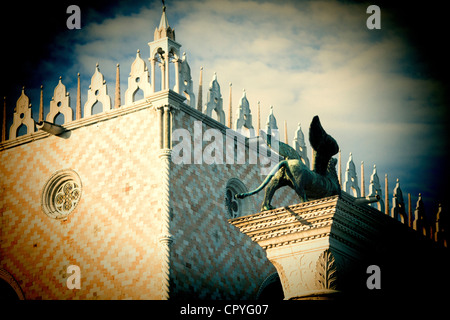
138,79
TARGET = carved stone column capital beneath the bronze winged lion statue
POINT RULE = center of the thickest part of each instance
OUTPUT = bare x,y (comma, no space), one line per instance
309,243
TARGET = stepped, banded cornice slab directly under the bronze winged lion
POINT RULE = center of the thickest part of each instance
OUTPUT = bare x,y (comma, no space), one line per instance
337,217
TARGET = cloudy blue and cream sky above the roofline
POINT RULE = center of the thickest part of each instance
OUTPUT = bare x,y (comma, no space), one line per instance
380,93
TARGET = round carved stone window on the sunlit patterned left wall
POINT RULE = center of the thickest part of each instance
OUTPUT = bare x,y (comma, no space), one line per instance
61,194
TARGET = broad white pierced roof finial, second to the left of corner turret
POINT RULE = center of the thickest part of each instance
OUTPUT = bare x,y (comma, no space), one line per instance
98,92
